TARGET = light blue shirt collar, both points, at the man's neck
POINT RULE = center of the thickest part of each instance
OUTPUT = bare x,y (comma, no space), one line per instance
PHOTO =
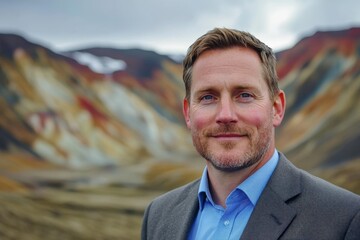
252,186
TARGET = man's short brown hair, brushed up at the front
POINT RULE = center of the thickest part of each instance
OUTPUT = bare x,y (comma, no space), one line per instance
221,38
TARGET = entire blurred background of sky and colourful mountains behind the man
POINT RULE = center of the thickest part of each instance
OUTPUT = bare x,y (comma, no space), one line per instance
91,126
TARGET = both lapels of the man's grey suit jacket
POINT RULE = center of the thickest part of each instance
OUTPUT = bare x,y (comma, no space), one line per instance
271,215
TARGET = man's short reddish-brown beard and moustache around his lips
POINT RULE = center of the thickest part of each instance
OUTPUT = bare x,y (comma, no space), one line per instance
230,158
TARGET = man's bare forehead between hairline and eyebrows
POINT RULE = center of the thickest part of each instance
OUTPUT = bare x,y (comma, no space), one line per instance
226,65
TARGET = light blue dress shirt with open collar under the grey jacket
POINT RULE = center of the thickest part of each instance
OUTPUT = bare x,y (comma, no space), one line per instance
213,222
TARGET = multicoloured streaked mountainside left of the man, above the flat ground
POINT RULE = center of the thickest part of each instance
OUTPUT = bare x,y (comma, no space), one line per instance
67,114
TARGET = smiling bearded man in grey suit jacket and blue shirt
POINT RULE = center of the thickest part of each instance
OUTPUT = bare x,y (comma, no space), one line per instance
248,189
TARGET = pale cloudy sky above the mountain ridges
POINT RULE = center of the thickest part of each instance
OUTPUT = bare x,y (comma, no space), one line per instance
170,26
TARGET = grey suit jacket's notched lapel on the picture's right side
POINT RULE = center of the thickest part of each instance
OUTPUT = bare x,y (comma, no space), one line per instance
272,215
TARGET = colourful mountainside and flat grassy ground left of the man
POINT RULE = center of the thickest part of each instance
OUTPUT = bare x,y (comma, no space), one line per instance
87,138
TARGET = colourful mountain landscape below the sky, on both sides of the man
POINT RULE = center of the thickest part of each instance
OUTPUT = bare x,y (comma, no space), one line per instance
88,137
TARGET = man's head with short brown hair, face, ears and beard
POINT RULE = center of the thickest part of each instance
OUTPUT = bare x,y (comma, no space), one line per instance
233,102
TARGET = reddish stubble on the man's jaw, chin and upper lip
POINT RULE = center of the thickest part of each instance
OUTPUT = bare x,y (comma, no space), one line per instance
258,146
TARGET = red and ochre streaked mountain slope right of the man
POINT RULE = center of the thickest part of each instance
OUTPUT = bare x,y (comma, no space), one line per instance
321,77
